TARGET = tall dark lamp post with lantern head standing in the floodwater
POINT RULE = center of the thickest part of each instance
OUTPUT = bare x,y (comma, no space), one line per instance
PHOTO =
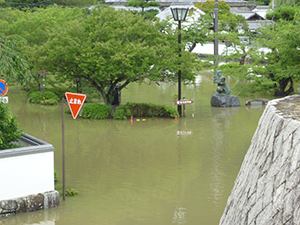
179,12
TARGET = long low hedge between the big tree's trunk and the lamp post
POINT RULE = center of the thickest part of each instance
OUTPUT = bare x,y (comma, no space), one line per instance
144,110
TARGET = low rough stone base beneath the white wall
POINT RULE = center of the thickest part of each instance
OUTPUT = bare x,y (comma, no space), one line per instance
29,203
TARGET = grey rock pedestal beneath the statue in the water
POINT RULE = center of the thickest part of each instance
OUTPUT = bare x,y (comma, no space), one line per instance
223,100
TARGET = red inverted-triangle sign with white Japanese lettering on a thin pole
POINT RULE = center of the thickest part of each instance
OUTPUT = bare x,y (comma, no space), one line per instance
75,102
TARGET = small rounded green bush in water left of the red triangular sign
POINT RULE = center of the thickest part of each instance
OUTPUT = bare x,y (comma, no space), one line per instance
37,97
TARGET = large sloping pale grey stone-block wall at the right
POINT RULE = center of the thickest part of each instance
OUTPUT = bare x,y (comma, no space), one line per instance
267,188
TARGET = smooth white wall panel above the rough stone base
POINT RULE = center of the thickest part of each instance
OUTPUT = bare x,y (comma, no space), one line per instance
26,174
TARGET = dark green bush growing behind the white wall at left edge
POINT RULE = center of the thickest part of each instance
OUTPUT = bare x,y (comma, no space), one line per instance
9,128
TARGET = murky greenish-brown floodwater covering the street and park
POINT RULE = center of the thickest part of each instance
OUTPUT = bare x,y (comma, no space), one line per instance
156,172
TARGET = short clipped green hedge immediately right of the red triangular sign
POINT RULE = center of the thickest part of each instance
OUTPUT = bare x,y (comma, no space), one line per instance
95,111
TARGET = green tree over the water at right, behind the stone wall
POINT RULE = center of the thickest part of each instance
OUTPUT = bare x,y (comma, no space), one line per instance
273,61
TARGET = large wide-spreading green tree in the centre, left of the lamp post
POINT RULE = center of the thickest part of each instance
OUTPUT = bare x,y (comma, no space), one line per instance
111,49
